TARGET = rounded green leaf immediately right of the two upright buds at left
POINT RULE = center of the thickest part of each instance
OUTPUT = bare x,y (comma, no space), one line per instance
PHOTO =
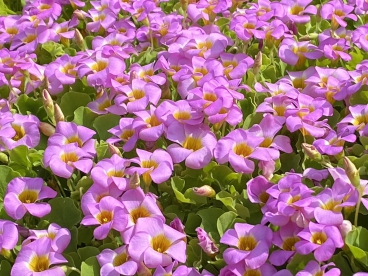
71,101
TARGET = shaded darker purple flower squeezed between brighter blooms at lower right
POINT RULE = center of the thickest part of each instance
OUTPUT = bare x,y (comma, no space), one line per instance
285,238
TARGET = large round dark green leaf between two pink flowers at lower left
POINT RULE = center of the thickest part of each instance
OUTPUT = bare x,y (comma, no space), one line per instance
63,212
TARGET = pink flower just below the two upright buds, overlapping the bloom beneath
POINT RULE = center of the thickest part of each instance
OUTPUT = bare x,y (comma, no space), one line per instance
68,133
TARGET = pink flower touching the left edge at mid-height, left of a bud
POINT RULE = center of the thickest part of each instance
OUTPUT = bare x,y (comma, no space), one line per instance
26,131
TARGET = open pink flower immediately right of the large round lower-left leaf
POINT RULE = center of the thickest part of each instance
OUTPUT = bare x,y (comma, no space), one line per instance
107,214
